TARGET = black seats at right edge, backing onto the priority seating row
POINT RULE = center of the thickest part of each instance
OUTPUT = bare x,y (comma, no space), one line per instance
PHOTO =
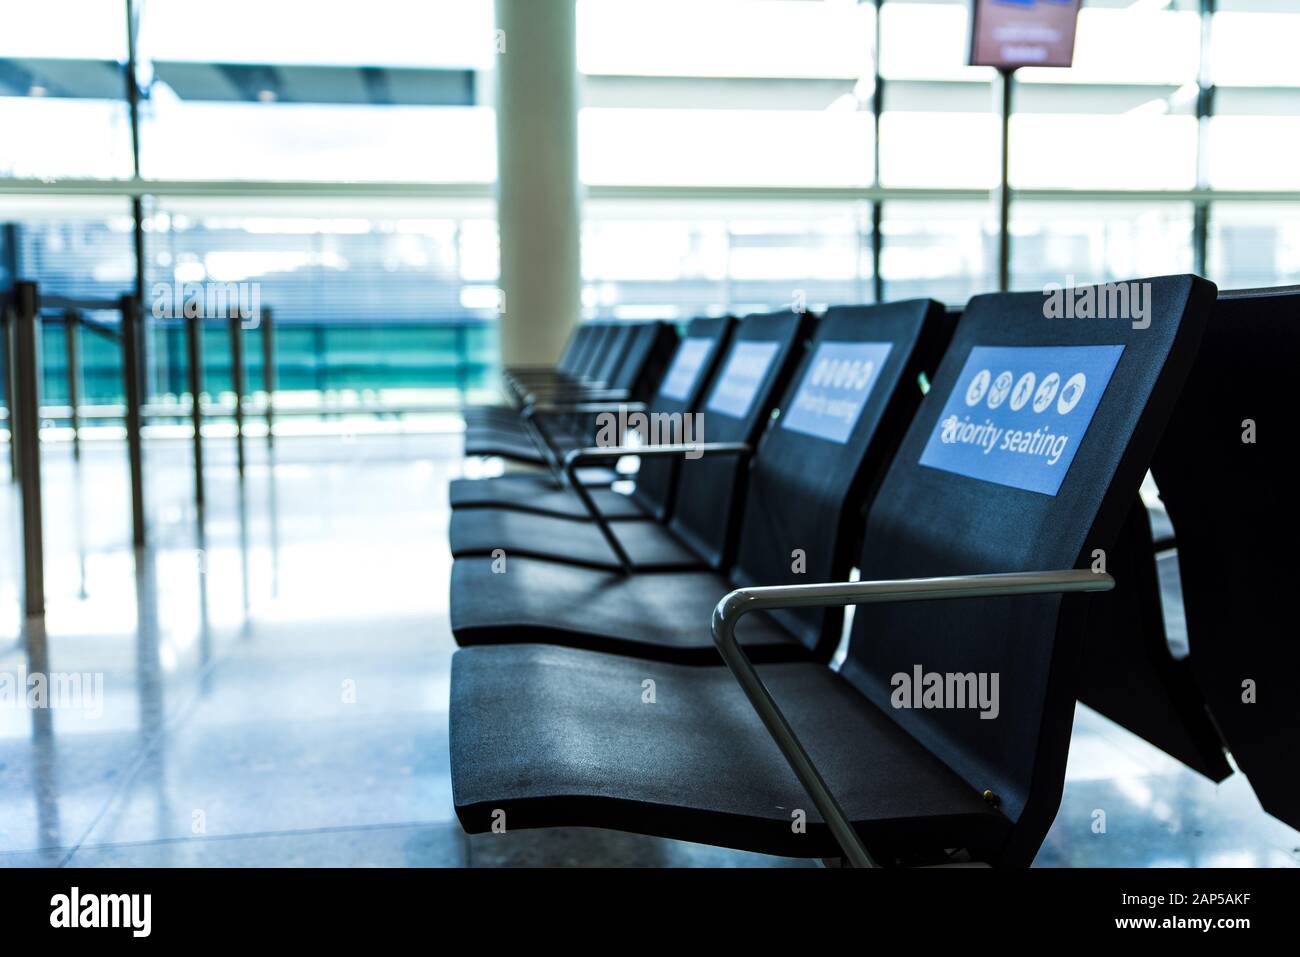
1225,478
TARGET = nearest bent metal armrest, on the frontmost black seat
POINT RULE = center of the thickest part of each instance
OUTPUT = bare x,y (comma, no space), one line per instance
837,595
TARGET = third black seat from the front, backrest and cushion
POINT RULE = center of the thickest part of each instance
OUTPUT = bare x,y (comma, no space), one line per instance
752,376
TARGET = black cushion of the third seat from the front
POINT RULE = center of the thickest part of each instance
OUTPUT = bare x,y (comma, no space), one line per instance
649,545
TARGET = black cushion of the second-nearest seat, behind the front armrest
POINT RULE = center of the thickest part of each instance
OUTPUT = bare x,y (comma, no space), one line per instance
665,617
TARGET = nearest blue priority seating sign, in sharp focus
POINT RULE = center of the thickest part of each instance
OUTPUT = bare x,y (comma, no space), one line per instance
1019,414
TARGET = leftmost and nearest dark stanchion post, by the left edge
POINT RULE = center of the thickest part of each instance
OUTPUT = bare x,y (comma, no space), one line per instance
25,428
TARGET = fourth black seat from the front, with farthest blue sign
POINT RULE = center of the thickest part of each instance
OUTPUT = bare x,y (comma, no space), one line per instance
679,392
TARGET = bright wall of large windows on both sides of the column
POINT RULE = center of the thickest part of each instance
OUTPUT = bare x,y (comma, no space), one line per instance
729,151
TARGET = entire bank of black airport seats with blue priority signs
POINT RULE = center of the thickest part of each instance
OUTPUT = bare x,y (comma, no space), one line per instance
599,683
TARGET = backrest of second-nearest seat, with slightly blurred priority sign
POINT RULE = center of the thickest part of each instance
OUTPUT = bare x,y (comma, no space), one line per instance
840,423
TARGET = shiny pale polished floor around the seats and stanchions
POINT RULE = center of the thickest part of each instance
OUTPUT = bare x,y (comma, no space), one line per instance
268,686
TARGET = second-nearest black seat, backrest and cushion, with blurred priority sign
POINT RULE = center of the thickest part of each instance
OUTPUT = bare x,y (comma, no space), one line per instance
805,493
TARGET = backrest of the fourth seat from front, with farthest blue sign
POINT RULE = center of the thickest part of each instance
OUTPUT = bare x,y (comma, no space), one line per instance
681,389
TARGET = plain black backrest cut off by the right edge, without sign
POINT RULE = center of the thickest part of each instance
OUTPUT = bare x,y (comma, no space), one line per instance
1227,475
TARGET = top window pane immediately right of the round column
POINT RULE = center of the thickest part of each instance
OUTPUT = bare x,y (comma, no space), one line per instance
757,93
